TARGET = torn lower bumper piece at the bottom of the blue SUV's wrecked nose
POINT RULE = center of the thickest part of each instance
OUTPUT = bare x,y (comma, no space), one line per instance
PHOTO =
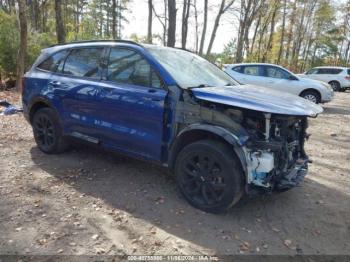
294,176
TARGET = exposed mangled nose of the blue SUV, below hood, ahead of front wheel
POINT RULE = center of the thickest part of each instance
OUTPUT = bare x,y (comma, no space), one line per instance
275,153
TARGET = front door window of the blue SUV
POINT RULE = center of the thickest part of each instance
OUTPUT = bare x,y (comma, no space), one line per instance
129,67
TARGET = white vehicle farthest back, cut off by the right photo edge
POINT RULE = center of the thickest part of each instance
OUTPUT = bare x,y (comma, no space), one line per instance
337,77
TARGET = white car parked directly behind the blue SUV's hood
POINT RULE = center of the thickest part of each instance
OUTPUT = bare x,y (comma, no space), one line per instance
279,78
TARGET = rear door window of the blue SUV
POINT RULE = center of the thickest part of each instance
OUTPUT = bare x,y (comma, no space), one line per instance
84,62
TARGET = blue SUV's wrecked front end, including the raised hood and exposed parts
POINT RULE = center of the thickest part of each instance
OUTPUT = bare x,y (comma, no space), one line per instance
270,130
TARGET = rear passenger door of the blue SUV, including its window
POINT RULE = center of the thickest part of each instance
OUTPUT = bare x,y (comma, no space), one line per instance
75,86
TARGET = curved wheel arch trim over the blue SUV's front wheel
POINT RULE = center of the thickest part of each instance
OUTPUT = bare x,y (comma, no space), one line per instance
196,132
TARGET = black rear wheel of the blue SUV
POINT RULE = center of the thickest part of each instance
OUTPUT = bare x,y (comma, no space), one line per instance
48,132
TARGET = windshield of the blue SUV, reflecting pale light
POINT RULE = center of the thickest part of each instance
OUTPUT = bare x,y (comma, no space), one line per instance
190,70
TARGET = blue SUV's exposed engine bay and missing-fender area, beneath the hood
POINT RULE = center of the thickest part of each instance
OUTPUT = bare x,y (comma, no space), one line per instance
273,144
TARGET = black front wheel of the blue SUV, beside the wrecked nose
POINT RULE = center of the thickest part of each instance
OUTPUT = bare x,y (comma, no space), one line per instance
209,176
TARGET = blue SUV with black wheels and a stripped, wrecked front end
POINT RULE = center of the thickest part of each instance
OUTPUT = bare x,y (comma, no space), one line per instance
174,108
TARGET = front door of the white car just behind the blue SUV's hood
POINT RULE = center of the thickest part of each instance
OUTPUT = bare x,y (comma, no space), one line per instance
281,80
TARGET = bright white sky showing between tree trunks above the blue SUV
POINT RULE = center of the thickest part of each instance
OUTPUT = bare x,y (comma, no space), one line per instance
138,16
